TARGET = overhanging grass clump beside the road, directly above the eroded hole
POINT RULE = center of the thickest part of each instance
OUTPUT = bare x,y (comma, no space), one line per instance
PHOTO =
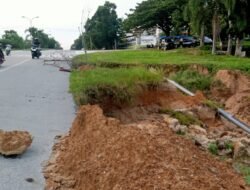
117,84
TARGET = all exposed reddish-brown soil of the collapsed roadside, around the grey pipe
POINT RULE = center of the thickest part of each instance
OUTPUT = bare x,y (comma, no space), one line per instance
138,149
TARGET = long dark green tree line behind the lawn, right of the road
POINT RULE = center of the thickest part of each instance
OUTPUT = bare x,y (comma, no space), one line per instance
223,20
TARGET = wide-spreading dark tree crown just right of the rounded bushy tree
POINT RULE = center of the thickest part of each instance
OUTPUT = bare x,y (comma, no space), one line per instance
164,14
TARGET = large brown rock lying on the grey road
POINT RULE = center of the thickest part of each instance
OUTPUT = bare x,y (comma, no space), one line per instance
14,142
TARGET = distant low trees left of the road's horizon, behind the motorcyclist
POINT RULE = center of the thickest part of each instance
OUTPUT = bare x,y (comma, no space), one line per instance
17,42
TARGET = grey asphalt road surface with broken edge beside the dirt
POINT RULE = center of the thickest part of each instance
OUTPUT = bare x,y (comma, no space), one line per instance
33,97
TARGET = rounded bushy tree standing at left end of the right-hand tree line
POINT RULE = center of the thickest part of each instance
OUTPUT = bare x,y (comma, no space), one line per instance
101,29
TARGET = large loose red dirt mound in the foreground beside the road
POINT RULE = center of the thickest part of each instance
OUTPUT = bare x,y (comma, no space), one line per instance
101,153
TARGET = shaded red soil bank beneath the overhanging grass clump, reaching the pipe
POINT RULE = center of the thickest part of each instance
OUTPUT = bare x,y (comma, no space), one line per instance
149,102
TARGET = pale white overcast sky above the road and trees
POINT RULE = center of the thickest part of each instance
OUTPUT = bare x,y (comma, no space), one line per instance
60,19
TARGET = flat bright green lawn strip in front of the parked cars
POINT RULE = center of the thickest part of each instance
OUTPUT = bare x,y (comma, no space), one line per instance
177,56
